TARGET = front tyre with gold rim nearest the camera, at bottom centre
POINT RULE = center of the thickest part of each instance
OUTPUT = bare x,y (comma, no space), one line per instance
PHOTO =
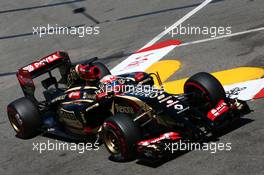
120,135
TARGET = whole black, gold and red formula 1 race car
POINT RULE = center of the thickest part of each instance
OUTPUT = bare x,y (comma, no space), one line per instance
131,116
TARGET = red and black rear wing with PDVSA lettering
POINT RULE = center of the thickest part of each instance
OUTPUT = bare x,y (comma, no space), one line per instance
26,74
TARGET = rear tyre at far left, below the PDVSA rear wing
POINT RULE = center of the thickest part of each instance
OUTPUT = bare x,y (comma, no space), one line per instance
24,117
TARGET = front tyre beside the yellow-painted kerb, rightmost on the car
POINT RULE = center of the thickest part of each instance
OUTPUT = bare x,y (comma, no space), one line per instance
206,89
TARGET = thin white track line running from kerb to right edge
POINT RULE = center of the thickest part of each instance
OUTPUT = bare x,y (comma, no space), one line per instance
220,37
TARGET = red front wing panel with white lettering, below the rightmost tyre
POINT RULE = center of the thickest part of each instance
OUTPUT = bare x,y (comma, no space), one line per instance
219,110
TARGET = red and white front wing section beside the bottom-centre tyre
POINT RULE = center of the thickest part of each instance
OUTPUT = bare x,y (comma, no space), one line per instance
168,136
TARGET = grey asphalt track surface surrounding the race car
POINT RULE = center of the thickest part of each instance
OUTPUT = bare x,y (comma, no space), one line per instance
126,26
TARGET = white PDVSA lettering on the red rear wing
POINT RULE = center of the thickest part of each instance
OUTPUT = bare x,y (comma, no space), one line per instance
41,63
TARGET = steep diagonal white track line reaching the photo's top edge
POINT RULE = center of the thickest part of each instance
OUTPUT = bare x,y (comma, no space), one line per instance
176,24
